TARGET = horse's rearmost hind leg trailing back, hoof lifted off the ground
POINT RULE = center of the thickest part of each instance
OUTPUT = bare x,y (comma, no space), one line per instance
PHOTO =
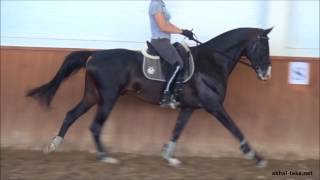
89,99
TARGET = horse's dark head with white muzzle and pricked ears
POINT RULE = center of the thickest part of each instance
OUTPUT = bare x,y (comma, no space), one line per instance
257,51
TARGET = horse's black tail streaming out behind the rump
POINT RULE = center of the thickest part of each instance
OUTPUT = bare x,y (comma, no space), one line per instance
72,63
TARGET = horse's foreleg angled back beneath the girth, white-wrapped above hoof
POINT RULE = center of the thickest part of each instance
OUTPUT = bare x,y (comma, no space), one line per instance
168,149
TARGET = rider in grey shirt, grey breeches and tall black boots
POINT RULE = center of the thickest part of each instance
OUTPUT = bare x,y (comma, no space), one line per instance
161,30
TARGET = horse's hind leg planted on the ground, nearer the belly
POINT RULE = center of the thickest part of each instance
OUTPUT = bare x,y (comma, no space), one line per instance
108,99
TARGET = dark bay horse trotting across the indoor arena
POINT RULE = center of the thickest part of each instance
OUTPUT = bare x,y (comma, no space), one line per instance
111,73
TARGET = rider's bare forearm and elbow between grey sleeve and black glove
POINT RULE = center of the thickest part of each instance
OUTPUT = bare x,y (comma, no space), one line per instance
165,26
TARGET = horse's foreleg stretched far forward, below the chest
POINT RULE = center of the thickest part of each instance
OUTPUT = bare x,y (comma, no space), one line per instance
223,117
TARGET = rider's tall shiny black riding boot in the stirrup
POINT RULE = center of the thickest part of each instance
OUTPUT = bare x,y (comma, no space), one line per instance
168,98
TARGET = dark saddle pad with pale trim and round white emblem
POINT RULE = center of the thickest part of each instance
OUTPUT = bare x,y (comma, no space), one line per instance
156,68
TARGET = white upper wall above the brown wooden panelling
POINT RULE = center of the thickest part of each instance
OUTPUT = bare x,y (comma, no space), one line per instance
113,24
